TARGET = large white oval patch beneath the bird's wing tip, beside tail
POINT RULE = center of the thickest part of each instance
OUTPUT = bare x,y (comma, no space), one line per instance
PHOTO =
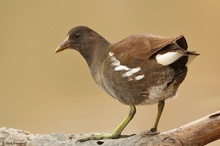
168,58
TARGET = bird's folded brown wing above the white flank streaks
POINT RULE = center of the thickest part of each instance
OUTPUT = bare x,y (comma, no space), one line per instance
135,50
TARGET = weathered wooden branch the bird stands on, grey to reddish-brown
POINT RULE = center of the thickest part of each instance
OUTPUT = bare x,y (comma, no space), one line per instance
197,133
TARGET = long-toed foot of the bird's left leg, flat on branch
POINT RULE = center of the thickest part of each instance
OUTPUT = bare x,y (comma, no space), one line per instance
101,136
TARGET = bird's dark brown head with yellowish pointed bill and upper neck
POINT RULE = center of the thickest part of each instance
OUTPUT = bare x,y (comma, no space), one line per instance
84,40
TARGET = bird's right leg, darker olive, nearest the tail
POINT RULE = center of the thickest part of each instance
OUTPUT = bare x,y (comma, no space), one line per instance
160,110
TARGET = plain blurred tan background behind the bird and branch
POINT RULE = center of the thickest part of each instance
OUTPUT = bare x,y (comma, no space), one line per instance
43,92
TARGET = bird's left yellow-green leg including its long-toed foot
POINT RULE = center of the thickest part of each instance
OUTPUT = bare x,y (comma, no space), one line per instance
117,132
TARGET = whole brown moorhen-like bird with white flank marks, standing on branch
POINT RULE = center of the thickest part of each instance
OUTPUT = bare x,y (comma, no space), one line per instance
142,69
